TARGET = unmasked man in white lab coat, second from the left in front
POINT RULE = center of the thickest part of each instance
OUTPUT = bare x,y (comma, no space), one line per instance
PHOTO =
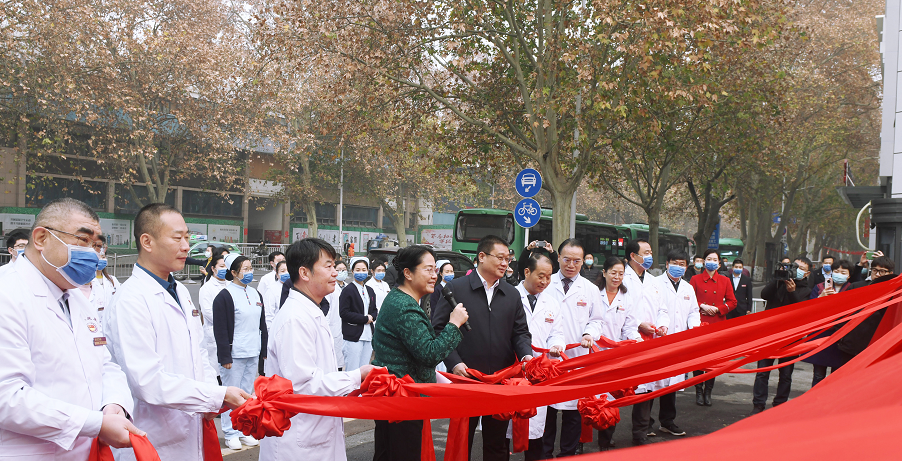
156,336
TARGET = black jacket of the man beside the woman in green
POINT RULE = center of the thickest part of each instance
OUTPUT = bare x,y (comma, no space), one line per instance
500,334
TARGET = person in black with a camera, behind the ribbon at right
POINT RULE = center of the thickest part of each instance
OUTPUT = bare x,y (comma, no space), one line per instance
789,286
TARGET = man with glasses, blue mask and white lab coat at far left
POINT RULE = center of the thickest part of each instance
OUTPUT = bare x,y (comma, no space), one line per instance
58,387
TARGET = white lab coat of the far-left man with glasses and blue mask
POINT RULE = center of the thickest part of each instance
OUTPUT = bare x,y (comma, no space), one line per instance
54,379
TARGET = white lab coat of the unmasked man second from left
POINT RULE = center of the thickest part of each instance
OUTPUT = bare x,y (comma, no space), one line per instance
158,345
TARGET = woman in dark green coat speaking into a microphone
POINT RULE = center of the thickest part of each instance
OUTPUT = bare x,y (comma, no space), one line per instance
406,344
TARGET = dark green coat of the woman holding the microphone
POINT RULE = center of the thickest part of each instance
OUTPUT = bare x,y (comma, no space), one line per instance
406,343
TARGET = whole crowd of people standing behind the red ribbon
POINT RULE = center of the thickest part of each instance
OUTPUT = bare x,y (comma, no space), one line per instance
103,359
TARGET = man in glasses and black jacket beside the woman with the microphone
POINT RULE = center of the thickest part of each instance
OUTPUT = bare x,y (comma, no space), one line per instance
499,336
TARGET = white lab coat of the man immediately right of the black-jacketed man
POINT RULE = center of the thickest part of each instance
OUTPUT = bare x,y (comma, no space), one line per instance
546,328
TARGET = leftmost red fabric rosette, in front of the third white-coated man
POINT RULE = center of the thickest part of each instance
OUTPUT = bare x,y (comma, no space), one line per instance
260,418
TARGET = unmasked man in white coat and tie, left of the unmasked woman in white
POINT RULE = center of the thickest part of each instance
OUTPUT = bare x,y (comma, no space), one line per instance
581,322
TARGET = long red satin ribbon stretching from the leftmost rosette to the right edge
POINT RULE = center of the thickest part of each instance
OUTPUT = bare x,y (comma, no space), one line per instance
722,347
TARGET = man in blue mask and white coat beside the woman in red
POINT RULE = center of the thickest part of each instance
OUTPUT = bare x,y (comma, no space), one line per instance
679,297
